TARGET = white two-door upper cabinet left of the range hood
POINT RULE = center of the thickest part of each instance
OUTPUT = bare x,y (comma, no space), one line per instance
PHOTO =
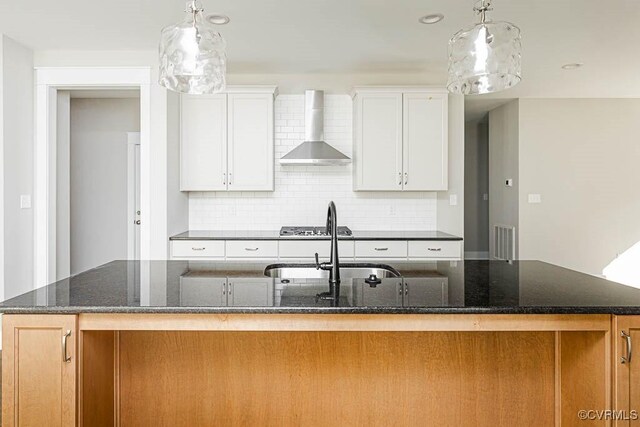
227,140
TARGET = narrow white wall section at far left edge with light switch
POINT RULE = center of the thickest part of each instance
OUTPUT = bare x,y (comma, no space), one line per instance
16,95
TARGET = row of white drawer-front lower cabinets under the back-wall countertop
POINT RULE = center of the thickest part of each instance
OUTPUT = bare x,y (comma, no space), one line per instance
304,250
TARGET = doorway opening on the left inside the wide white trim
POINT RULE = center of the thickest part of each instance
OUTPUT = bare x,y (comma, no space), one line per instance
97,188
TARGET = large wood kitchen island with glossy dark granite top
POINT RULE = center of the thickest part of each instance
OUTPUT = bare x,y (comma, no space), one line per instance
182,343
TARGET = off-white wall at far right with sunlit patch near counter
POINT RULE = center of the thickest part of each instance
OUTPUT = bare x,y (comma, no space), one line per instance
583,157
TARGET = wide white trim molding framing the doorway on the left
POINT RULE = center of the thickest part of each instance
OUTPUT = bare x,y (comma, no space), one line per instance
48,81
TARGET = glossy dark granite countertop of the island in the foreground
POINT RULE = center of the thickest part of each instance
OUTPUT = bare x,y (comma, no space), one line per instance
524,287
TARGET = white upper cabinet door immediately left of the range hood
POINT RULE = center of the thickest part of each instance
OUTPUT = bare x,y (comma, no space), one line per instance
250,142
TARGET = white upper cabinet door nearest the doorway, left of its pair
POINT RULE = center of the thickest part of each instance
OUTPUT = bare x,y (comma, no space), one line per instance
203,143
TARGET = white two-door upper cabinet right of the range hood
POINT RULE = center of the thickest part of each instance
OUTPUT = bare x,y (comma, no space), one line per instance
401,139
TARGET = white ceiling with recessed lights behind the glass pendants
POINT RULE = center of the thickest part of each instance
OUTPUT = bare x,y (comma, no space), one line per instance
362,36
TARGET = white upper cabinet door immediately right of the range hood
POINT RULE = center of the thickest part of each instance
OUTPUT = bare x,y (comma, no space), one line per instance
378,140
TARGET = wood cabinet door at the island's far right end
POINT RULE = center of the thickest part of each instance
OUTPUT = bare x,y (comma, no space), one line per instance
626,396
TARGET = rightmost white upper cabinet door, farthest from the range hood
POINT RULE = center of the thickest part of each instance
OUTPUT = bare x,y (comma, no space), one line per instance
425,142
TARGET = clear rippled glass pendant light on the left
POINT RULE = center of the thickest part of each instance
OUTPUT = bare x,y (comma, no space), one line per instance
193,56
